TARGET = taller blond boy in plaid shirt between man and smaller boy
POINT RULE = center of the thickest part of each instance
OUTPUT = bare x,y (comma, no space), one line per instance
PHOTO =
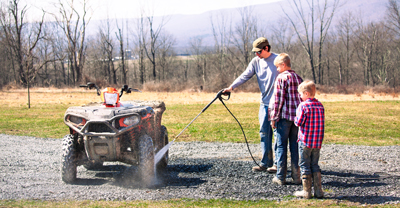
283,112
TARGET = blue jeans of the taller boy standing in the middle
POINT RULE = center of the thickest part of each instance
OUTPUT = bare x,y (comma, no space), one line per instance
286,131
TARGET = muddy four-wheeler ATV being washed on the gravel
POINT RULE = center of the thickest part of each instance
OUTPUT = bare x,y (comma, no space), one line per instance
110,131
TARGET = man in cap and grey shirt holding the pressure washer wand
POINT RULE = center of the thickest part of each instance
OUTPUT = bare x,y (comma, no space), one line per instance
263,67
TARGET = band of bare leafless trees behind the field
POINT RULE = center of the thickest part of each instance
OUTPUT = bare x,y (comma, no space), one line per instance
329,49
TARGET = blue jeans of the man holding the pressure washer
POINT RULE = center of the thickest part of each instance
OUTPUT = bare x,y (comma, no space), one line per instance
266,137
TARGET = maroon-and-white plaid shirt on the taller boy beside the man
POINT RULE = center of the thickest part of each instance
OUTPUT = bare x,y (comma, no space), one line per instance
286,98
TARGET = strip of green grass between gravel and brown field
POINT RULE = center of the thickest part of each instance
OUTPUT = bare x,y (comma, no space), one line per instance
360,123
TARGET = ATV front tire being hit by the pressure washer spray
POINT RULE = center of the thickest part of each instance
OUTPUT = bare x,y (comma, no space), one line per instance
146,159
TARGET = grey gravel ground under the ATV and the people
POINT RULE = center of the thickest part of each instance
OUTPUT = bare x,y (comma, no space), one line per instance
30,169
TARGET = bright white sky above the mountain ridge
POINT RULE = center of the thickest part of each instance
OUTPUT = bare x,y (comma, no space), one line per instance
131,8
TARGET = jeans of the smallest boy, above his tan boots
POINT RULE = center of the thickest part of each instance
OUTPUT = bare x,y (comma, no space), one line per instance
308,159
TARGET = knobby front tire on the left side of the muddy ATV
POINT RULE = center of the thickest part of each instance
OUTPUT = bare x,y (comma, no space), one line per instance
69,156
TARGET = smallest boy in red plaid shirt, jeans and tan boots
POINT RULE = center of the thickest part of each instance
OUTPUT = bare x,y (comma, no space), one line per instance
310,118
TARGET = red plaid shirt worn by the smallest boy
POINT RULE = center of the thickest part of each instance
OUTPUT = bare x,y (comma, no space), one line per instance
310,118
